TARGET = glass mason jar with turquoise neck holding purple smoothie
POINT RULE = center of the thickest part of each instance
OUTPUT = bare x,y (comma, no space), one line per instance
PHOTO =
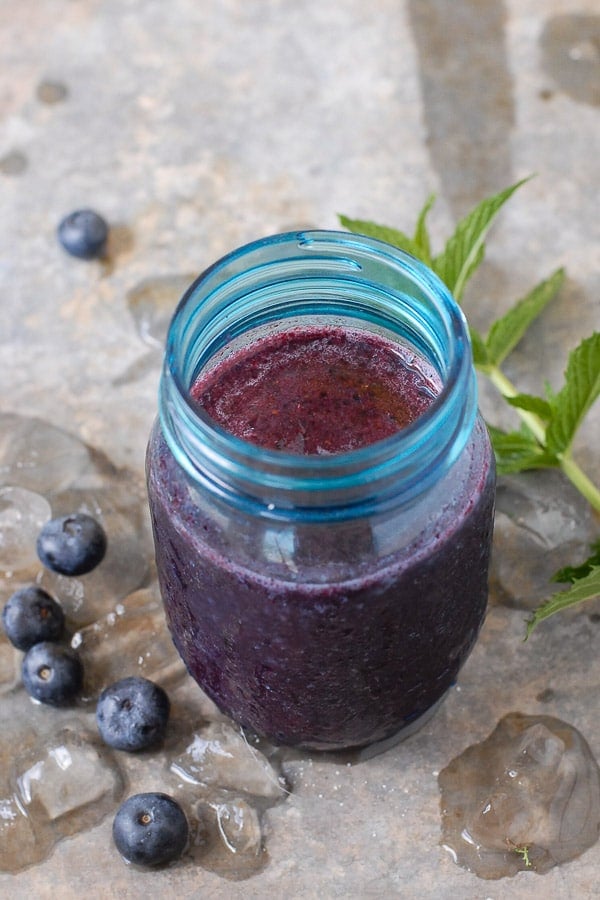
322,601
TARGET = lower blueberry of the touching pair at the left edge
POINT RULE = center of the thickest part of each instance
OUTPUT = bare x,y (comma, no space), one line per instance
52,673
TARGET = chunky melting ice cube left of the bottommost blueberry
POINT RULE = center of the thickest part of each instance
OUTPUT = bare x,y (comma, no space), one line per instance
66,782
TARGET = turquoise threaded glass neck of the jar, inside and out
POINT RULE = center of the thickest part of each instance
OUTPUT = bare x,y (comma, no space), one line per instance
309,276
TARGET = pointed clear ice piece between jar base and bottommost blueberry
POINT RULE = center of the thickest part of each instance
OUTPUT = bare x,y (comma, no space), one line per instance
220,756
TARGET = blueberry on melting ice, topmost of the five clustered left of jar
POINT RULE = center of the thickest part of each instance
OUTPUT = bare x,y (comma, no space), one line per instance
72,545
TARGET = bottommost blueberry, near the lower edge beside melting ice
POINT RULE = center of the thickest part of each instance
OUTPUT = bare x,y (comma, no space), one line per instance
150,829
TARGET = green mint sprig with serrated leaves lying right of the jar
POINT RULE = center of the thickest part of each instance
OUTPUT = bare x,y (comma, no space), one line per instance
549,423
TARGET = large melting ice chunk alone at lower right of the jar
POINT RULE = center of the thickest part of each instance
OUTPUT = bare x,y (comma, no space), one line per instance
528,797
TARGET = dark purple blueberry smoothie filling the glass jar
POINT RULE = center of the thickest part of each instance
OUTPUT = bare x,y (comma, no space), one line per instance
326,634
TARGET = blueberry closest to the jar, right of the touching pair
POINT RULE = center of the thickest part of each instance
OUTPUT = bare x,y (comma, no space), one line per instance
132,714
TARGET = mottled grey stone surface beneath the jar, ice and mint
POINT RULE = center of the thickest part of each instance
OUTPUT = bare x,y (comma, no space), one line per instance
194,126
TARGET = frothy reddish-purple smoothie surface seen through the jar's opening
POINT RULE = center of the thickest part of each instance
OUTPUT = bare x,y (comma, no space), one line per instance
317,390
